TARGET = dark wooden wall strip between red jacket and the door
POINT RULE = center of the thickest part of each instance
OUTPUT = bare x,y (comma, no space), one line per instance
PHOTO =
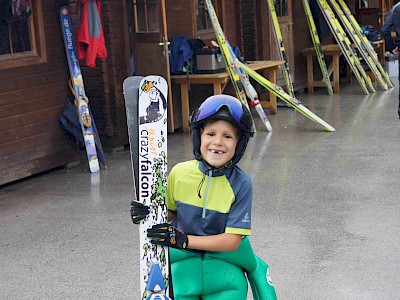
108,78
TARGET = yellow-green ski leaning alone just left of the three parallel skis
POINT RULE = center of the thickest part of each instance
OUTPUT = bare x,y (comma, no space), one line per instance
317,46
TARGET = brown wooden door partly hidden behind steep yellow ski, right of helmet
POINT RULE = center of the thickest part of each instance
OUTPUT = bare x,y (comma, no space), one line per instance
283,9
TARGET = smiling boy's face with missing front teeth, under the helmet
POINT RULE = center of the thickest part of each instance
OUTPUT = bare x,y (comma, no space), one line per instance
218,142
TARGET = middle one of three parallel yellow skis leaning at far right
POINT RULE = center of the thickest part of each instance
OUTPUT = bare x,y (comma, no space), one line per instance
372,64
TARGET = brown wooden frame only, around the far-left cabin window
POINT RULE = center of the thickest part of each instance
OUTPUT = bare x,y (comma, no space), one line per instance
38,54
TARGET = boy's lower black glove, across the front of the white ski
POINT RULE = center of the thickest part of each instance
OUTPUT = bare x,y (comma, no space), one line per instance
167,235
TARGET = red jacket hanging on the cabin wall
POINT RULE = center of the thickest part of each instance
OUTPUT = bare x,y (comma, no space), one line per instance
90,37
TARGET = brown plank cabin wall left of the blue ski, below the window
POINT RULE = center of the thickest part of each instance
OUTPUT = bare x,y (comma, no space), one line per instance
31,101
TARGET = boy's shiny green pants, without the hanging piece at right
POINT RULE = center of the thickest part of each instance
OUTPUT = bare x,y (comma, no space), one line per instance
196,277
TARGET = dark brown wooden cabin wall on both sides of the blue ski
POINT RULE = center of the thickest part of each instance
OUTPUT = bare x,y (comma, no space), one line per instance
32,98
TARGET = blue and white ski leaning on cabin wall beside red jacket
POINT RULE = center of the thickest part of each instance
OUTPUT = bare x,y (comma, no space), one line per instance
81,101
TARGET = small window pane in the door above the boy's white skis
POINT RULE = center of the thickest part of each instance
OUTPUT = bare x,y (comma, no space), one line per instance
146,16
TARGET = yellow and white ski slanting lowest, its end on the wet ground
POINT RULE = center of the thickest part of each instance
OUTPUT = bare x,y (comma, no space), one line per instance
279,92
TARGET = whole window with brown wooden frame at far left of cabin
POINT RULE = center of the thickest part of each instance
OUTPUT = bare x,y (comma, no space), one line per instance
21,35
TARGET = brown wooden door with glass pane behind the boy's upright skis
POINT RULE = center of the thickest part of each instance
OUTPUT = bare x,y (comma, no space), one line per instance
149,44
